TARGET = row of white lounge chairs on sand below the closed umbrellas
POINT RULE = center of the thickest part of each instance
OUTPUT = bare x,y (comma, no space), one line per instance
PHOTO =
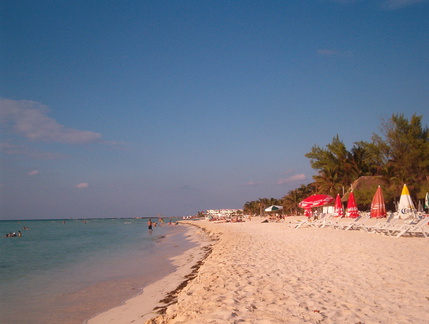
391,226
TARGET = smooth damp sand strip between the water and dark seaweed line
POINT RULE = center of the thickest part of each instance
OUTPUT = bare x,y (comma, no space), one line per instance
154,298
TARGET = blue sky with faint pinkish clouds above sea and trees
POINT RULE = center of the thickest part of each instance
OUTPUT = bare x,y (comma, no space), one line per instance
139,108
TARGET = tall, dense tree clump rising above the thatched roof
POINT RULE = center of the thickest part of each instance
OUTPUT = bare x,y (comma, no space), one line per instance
401,156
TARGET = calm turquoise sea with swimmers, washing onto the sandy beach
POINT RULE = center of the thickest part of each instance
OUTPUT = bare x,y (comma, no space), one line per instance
66,272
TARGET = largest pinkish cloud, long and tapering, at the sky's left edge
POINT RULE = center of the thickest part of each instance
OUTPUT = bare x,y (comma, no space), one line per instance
30,119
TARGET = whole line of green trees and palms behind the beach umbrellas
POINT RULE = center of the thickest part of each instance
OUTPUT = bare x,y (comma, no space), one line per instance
398,156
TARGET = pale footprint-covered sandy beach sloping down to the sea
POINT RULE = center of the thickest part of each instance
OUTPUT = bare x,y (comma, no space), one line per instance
269,273
